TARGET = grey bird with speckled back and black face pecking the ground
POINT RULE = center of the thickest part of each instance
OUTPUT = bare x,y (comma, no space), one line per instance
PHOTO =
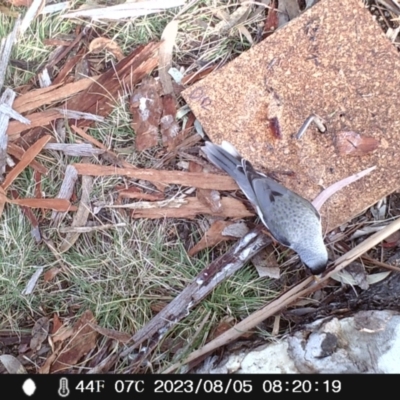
292,220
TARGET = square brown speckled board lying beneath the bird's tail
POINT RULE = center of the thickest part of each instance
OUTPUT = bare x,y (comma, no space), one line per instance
333,61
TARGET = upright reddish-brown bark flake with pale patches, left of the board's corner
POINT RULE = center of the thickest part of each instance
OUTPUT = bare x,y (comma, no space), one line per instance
146,109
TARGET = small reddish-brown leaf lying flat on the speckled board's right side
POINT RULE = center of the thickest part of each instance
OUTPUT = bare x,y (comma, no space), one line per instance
353,144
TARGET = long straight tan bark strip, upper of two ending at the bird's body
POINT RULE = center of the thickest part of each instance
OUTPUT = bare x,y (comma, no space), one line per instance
199,180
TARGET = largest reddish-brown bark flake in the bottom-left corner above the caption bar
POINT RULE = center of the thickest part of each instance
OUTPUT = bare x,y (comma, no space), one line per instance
82,341
